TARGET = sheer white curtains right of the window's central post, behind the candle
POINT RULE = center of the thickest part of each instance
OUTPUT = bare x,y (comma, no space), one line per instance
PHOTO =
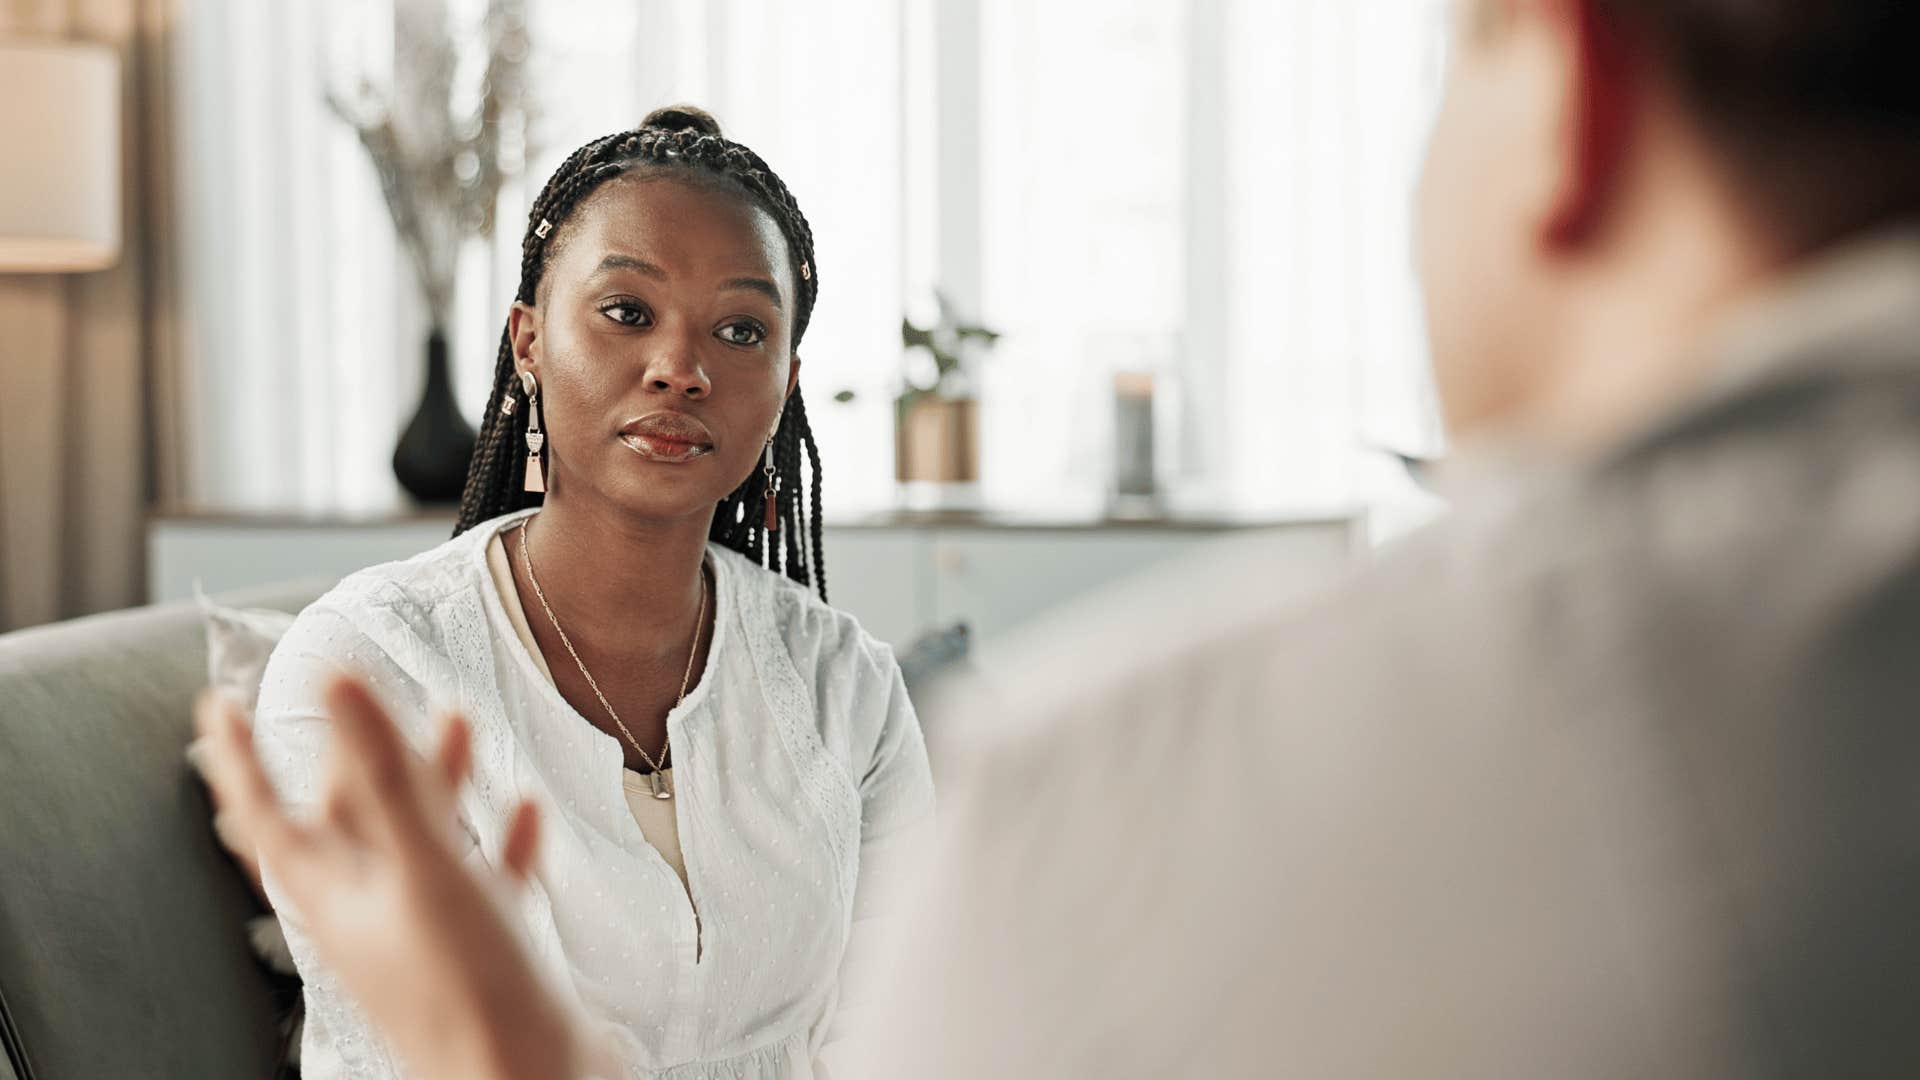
1218,191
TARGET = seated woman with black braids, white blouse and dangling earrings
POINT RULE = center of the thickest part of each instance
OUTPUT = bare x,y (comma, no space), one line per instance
633,624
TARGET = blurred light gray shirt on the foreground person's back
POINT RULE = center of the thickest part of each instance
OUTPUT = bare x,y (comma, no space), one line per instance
1612,773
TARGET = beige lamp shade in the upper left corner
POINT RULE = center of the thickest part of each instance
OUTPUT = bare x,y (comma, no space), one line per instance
60,157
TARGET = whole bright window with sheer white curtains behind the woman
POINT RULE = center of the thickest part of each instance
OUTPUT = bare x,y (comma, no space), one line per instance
1214,191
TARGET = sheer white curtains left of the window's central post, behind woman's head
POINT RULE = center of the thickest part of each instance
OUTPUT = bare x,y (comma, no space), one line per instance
306,326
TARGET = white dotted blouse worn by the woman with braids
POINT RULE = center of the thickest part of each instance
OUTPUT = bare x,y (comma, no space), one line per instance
794,760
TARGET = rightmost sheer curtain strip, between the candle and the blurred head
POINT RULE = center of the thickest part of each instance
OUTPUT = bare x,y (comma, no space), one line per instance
1328,362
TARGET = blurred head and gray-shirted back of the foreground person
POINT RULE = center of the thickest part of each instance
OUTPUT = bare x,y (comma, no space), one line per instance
1612,773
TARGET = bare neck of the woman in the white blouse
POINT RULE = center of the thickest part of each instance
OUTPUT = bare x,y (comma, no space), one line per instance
610,574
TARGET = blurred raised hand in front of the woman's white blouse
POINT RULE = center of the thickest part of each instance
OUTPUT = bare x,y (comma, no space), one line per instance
421,941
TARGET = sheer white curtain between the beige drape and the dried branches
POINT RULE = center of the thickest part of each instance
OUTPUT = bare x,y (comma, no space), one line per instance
299,370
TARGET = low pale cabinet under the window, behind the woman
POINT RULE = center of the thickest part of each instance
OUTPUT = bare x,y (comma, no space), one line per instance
896,574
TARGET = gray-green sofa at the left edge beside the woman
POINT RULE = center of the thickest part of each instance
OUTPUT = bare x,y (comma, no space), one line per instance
122,923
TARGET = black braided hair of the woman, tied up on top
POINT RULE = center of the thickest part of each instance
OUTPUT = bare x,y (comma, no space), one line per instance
673,139
